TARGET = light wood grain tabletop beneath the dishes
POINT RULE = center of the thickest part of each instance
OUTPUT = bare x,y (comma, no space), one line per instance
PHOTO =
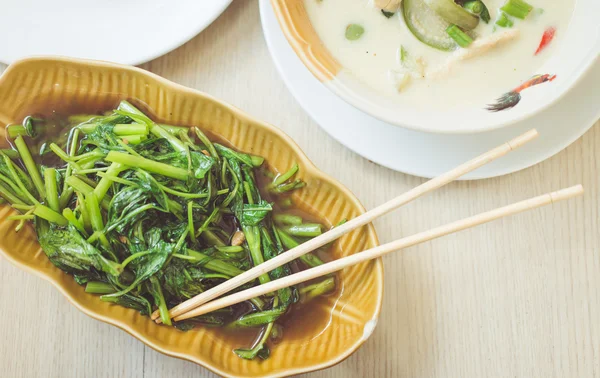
518,297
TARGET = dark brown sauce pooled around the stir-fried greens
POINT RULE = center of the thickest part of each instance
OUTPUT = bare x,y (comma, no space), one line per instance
301,320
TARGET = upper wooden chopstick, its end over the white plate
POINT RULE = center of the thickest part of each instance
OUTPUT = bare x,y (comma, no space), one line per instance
352,224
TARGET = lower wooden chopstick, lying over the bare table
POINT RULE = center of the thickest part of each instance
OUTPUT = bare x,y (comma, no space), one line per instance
381,250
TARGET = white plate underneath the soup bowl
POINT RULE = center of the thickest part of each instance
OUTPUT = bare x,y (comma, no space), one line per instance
423,154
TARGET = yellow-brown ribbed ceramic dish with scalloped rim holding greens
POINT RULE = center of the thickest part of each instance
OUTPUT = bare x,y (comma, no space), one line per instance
42,84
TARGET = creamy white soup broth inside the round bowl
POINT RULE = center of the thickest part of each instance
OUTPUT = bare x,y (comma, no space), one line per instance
498,60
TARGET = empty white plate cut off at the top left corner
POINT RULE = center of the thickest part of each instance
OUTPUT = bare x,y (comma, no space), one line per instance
122,31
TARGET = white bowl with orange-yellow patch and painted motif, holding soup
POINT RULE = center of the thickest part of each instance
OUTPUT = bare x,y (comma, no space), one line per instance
578,51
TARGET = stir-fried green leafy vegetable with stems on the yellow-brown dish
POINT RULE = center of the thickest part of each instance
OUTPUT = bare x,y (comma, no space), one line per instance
150,215
